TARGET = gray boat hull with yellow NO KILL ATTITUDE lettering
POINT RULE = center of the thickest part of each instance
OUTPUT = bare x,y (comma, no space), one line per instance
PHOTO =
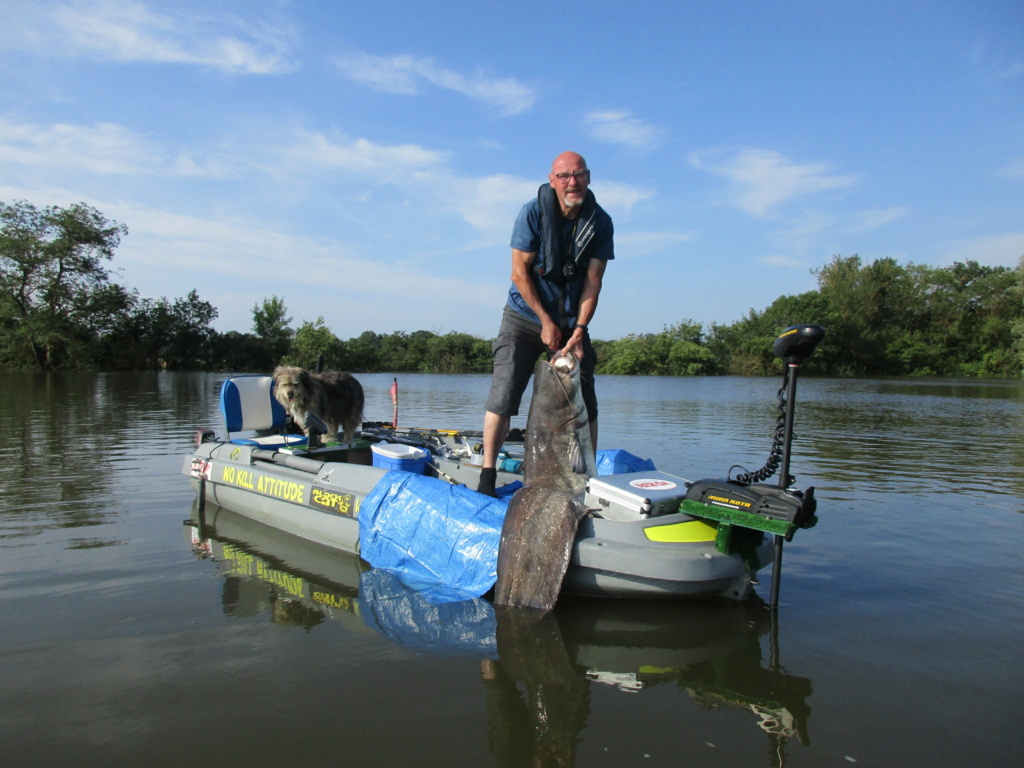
636,557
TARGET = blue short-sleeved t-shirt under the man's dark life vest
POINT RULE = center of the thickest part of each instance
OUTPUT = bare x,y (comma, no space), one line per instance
527,237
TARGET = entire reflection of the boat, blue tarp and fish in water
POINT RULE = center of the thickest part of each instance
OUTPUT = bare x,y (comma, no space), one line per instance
538,671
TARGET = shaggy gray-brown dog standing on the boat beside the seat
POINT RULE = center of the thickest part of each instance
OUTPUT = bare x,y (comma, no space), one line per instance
334,397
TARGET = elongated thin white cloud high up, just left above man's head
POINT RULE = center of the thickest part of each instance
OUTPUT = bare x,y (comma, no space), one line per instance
404,74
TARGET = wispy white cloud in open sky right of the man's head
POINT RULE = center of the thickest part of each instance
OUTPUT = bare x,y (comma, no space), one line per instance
763,181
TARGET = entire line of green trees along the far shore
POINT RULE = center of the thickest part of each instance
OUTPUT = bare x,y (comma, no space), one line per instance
60,309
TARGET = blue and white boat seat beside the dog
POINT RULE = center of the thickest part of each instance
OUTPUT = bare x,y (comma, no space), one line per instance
248,405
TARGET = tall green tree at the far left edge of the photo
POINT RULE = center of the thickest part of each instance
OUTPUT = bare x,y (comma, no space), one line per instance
56,293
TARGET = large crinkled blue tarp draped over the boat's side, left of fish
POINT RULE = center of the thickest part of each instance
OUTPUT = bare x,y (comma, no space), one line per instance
441,539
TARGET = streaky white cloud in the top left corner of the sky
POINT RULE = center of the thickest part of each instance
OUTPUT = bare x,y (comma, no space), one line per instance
129,31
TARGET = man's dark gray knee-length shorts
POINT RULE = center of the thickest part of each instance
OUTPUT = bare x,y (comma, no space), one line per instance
517,351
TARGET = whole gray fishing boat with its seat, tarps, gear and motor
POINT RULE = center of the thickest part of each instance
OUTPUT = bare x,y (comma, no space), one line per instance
403,499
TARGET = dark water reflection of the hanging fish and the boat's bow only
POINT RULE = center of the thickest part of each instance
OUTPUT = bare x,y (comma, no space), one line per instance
548,665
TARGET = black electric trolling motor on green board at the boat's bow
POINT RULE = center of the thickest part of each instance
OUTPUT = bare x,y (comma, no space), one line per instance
748,502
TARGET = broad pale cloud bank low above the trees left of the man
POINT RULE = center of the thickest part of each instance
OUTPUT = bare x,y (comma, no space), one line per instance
168,254
